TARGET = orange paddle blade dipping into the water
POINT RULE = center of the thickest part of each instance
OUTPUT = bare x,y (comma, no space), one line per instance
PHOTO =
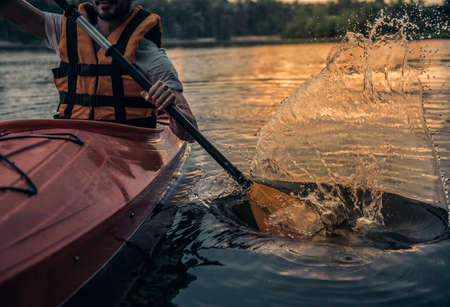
281,214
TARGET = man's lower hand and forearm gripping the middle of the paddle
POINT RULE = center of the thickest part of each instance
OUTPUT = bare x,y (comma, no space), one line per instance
161,96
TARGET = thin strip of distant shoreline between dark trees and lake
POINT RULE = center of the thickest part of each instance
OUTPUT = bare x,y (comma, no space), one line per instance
243,41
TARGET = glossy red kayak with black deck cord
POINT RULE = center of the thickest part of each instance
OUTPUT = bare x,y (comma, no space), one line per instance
71,193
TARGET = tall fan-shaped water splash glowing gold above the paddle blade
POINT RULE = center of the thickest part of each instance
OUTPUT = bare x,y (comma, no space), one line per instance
358,124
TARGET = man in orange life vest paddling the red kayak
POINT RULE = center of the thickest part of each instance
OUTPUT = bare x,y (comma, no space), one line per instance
90,84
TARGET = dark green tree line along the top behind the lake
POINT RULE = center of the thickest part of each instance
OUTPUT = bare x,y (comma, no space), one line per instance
222,19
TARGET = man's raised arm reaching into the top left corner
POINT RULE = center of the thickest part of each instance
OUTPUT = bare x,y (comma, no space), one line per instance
24,15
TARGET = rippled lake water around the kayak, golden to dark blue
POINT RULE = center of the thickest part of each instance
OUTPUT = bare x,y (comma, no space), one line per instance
209,256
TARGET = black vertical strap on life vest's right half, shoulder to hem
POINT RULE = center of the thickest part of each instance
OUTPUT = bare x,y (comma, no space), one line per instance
116,77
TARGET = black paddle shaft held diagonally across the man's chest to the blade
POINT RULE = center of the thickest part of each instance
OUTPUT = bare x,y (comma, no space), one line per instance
142,80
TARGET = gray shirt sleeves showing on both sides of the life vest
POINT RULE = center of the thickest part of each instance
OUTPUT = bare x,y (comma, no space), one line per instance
149,57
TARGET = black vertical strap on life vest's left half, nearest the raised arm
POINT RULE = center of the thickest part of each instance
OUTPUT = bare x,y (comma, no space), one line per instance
72,53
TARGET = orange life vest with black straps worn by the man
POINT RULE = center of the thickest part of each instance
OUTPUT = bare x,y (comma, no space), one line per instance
92,85
